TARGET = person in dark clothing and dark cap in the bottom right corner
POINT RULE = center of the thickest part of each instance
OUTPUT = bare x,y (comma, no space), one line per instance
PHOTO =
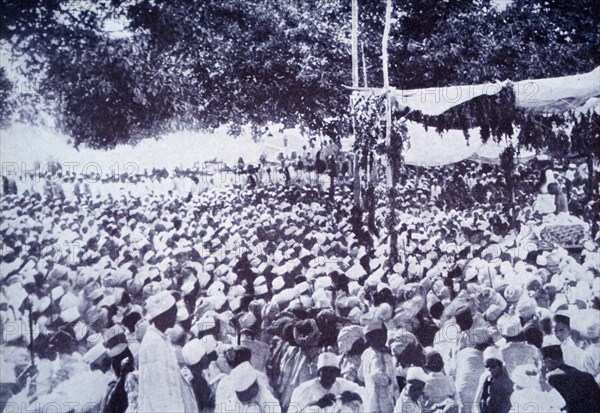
578,388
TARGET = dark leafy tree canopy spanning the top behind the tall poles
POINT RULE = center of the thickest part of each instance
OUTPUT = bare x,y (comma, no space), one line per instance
202,64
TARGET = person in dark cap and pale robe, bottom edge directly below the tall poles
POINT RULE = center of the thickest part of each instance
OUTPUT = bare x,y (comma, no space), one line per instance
378,371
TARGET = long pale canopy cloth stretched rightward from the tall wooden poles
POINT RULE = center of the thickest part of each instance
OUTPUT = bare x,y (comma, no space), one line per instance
551,95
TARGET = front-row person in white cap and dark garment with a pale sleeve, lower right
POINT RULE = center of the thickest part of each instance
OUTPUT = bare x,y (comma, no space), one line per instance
495,385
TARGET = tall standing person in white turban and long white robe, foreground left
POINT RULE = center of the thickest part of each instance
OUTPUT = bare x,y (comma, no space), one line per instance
162,387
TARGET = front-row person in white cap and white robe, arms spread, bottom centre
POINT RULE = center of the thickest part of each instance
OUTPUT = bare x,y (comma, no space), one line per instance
328,382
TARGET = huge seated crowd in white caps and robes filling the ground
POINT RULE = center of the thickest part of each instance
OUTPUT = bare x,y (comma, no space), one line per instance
169,293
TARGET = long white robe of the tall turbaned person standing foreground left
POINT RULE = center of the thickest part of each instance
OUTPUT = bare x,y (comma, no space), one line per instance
162,387
